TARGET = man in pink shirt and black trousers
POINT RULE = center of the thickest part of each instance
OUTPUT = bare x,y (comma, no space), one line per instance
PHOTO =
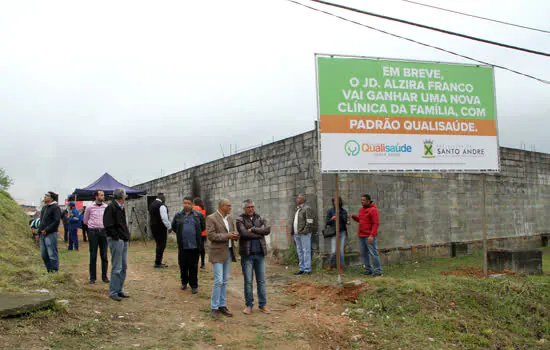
93,217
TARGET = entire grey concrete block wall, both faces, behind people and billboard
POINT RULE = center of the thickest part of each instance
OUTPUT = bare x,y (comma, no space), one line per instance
415,209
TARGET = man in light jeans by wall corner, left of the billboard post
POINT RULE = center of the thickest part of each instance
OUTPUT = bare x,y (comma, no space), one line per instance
302,228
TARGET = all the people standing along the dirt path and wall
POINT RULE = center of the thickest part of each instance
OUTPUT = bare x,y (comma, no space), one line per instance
107,227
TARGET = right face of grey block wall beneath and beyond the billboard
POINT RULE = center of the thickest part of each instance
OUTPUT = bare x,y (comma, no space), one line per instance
424,209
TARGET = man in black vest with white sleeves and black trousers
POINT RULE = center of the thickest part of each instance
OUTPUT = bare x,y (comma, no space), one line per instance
160,225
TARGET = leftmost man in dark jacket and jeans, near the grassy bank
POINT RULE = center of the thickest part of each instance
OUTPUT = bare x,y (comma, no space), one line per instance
49,224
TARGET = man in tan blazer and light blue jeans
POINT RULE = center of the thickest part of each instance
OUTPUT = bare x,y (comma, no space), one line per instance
220,229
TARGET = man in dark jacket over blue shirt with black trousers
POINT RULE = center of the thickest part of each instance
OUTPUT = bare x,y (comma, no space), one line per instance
188,225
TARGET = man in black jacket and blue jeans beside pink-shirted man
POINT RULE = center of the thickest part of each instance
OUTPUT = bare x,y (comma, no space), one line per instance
114,221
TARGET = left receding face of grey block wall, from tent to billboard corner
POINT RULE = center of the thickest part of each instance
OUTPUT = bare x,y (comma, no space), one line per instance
272,176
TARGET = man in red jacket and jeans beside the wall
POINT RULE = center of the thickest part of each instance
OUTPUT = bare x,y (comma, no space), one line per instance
369,221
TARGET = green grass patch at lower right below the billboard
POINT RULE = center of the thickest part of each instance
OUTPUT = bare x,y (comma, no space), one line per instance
415,306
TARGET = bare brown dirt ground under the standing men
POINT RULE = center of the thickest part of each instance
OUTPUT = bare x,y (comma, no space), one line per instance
308,312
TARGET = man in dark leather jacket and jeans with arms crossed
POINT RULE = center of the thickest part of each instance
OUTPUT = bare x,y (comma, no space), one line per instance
252,230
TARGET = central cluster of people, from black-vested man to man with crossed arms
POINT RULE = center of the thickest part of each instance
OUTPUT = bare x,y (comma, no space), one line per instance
193,227
